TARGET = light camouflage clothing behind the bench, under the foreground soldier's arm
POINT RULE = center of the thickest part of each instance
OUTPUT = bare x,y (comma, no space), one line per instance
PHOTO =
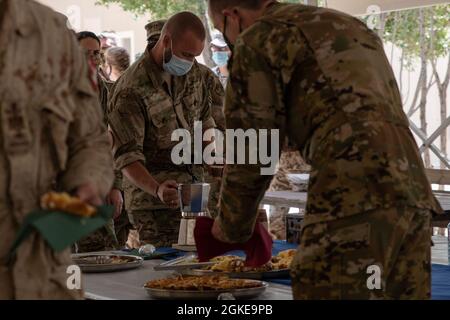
289,160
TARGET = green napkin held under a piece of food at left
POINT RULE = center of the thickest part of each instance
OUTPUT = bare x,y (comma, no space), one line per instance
61,229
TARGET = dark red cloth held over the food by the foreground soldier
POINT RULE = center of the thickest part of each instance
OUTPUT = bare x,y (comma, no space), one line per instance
258,249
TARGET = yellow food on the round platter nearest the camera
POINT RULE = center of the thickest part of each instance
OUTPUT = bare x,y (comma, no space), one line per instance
202,283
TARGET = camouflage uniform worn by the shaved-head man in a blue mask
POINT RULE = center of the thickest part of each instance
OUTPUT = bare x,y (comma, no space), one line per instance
143,112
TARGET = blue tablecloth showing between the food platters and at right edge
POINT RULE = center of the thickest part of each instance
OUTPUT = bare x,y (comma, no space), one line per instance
440,275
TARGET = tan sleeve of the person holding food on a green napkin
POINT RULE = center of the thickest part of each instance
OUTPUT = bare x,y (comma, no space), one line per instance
89,151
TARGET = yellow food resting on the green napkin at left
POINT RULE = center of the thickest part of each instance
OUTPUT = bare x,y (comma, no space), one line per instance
64,202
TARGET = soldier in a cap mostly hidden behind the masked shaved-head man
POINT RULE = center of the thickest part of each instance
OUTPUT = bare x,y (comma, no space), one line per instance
213,174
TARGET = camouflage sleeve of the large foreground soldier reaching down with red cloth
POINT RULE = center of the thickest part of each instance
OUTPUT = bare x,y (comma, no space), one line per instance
252,102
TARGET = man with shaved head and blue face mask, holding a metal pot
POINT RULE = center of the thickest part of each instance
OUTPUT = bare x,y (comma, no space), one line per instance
163,91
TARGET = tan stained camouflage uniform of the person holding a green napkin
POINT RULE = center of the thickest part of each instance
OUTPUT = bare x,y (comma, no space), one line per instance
51,138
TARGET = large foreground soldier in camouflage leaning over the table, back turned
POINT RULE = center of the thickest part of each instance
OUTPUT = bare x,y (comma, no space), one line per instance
323,79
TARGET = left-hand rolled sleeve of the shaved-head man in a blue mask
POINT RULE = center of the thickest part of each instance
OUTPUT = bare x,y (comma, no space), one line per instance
127,123
